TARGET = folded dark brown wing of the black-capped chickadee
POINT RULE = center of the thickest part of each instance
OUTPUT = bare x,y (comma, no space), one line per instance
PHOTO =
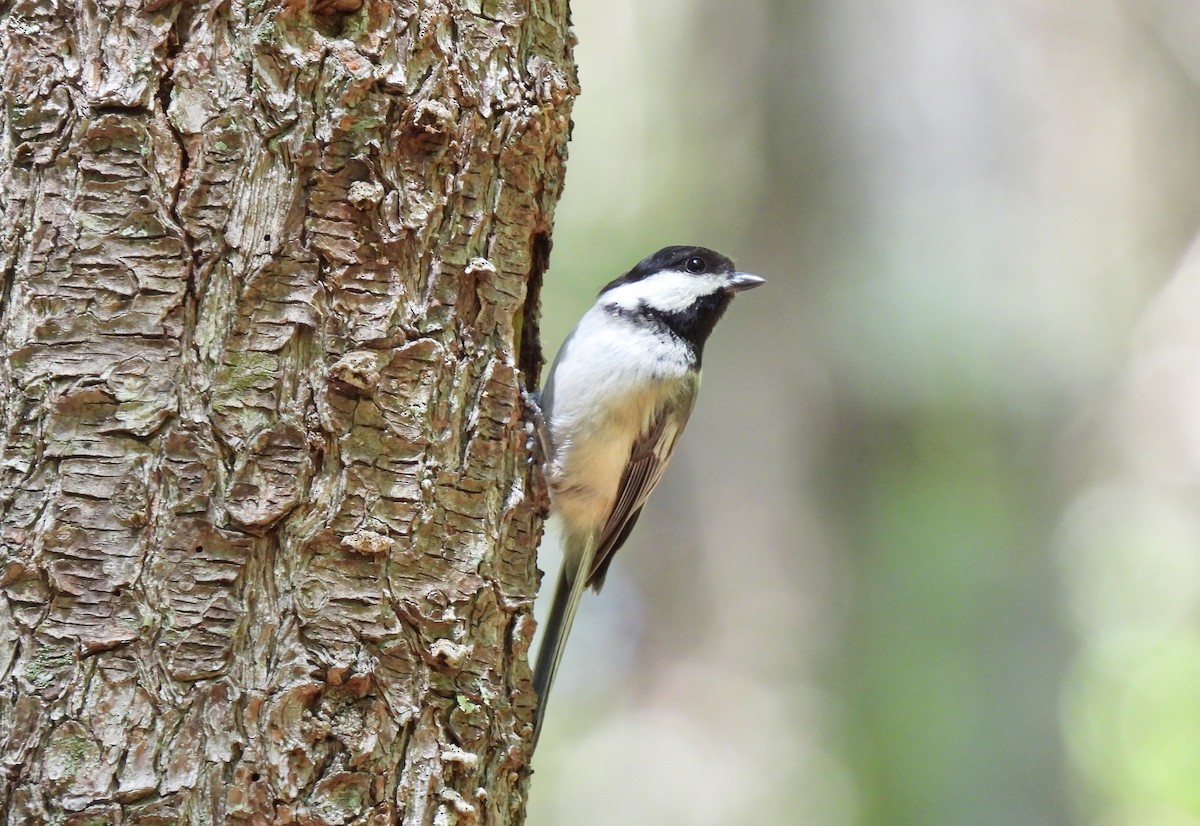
647,462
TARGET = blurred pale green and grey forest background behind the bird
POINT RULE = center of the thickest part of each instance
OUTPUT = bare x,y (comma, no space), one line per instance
931,550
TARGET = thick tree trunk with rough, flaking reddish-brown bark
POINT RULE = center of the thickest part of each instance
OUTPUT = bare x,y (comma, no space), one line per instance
268,516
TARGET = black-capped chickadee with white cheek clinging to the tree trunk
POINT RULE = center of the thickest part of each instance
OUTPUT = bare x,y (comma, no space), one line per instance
616,402
